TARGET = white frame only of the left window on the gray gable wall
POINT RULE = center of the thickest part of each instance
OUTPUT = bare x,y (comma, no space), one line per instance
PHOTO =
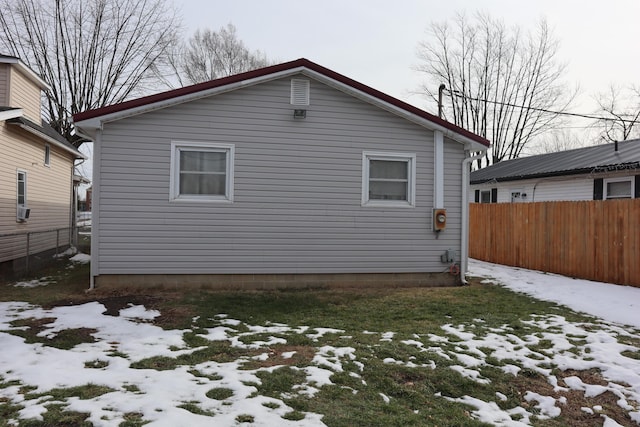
174,185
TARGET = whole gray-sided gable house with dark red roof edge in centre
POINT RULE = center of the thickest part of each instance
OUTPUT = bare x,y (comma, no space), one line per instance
290,175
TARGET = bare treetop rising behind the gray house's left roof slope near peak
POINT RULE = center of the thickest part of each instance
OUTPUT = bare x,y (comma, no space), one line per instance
209,55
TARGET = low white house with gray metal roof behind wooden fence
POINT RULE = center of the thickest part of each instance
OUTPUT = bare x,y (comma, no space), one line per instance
607,171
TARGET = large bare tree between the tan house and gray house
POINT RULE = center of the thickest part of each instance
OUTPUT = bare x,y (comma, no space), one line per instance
91,52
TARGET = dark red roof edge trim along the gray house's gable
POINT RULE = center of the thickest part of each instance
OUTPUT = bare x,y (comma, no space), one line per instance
187,90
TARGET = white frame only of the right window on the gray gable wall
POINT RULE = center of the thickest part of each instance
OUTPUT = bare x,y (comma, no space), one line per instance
409,158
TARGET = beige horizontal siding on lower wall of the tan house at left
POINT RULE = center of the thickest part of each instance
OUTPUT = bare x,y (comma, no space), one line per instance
48,192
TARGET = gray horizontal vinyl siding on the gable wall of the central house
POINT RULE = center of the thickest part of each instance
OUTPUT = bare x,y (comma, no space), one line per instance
297,196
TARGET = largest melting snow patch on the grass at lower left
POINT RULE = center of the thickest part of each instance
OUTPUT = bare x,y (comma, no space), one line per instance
121,341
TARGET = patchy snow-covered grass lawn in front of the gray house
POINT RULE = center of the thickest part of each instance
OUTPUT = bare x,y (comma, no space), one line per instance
457,356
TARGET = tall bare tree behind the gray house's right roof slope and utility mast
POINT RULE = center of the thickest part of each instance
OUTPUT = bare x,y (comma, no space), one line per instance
501,84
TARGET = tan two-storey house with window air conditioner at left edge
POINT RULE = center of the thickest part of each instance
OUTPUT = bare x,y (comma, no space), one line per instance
36,170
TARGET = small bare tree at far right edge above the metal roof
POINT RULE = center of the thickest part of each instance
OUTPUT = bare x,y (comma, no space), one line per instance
621,113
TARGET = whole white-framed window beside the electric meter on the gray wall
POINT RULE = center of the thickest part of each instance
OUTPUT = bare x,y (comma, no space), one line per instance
388,179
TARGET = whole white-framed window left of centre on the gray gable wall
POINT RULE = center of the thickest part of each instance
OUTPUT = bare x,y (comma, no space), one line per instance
201,171
